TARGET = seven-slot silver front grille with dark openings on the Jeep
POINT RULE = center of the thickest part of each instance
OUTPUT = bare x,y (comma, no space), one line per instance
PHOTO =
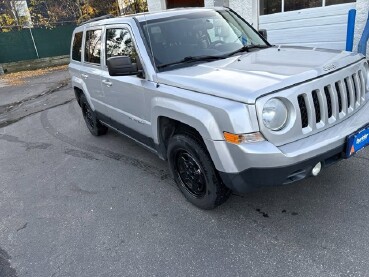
332,102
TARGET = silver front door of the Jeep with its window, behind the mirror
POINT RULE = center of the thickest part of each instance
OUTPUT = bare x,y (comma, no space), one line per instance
124,96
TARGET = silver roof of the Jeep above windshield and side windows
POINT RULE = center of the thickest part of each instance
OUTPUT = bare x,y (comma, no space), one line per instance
141,17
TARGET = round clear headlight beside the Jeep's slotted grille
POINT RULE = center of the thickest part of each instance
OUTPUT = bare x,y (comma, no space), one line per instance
275,114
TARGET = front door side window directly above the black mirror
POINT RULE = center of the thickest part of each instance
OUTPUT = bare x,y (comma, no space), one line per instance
119,42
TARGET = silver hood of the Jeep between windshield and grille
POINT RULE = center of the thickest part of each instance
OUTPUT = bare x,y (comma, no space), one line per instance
246,77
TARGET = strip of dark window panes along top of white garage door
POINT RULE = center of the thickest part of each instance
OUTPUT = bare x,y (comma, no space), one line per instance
276,6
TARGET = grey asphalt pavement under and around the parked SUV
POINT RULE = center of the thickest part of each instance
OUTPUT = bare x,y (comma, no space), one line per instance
76,205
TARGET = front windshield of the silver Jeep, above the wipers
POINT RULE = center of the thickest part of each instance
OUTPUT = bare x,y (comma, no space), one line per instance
177,40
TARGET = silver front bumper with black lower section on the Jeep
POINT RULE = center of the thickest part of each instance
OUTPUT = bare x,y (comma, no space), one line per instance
248,166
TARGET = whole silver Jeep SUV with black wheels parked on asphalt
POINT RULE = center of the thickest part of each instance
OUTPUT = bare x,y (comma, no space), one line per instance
205,91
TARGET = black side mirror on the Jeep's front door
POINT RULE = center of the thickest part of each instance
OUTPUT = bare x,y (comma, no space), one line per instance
121,66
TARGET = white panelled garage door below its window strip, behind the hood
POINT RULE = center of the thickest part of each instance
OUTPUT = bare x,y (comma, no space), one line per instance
316,27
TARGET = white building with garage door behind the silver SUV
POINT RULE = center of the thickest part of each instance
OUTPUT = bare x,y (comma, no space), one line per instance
316,23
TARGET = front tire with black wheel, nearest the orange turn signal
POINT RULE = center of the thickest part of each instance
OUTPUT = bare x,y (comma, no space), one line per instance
194,172
